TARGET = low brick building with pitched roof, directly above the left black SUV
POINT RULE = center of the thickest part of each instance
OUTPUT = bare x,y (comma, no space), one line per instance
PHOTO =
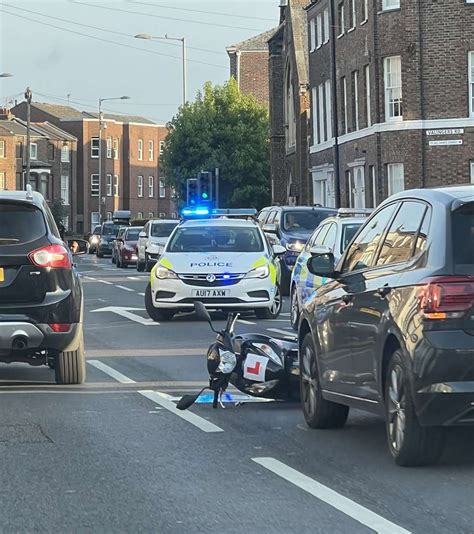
52,161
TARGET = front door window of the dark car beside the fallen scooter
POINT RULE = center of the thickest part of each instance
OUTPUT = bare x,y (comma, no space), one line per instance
362,251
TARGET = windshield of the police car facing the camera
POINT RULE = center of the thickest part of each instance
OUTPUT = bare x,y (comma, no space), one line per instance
216,239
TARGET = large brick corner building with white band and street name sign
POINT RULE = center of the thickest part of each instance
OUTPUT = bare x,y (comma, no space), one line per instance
392,97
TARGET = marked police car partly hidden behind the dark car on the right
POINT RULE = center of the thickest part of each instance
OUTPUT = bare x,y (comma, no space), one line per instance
332,235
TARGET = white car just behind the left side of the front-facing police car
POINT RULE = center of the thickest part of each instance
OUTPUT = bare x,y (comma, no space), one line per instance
152,241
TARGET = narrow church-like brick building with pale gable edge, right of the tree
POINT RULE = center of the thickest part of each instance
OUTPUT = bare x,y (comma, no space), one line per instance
289,106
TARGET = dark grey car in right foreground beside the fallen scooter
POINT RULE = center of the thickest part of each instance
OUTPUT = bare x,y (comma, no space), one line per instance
392,332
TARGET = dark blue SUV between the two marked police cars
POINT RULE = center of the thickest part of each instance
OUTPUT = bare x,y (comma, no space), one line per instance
291,227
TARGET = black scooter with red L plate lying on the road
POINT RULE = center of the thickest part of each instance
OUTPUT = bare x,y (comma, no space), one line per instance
255,364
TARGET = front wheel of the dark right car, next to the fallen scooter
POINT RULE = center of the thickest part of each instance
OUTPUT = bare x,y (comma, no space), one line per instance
318,412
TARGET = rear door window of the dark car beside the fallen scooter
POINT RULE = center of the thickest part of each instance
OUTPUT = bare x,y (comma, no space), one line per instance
399,243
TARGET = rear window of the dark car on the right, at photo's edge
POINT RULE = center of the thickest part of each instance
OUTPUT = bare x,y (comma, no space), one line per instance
463,239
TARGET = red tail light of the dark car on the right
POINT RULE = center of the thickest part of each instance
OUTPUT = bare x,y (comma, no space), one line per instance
446,297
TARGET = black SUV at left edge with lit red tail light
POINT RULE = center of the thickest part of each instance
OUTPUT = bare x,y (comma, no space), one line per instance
40,291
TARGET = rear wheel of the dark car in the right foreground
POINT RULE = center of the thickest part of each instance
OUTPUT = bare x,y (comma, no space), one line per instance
410,444
